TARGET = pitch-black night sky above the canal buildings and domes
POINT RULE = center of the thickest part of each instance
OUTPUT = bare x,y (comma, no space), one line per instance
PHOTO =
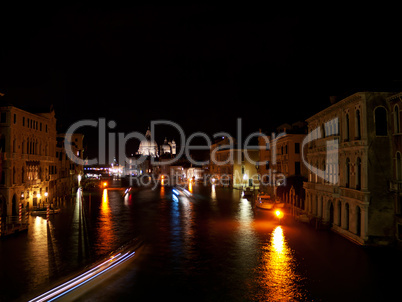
201,66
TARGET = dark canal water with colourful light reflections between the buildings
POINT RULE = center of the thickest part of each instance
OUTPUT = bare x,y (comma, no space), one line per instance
211,246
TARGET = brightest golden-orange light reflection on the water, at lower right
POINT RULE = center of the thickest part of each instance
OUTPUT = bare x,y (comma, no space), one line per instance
279,277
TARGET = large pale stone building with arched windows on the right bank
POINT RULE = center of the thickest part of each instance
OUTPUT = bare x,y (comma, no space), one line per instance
349,151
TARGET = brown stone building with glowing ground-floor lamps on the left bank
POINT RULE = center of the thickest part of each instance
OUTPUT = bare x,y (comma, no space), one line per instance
33,164
